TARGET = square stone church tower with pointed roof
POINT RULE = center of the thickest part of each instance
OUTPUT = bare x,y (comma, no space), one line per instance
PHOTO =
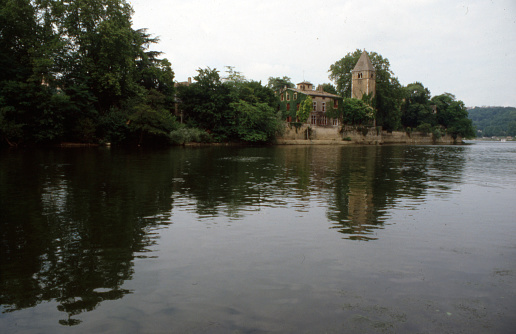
363,78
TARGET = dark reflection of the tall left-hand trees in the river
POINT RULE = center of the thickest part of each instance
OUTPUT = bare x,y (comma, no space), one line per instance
72,223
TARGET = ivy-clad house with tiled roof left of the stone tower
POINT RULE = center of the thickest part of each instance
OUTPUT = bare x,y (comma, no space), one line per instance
291,99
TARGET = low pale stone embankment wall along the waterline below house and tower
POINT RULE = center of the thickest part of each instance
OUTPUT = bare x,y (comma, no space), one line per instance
309,134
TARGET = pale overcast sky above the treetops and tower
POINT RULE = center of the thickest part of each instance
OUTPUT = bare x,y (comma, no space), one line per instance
467,48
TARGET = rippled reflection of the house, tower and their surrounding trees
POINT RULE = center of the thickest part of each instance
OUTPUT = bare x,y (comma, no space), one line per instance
357,185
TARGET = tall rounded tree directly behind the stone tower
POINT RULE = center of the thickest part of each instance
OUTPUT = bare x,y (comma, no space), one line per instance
387,101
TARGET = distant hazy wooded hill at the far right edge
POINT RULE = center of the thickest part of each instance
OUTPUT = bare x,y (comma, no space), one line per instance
494,121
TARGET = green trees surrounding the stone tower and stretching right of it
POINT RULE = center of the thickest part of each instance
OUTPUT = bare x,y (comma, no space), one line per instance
397,107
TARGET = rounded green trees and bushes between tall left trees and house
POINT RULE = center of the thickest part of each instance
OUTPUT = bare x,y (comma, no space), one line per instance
232,108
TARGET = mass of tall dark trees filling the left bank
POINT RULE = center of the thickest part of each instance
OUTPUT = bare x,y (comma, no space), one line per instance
70,65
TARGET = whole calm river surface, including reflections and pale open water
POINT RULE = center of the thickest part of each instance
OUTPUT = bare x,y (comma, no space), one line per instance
394,239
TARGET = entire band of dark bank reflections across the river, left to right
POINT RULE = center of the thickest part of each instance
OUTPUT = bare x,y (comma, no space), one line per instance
72,222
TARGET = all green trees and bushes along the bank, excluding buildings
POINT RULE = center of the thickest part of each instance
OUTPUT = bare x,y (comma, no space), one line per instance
78,72
